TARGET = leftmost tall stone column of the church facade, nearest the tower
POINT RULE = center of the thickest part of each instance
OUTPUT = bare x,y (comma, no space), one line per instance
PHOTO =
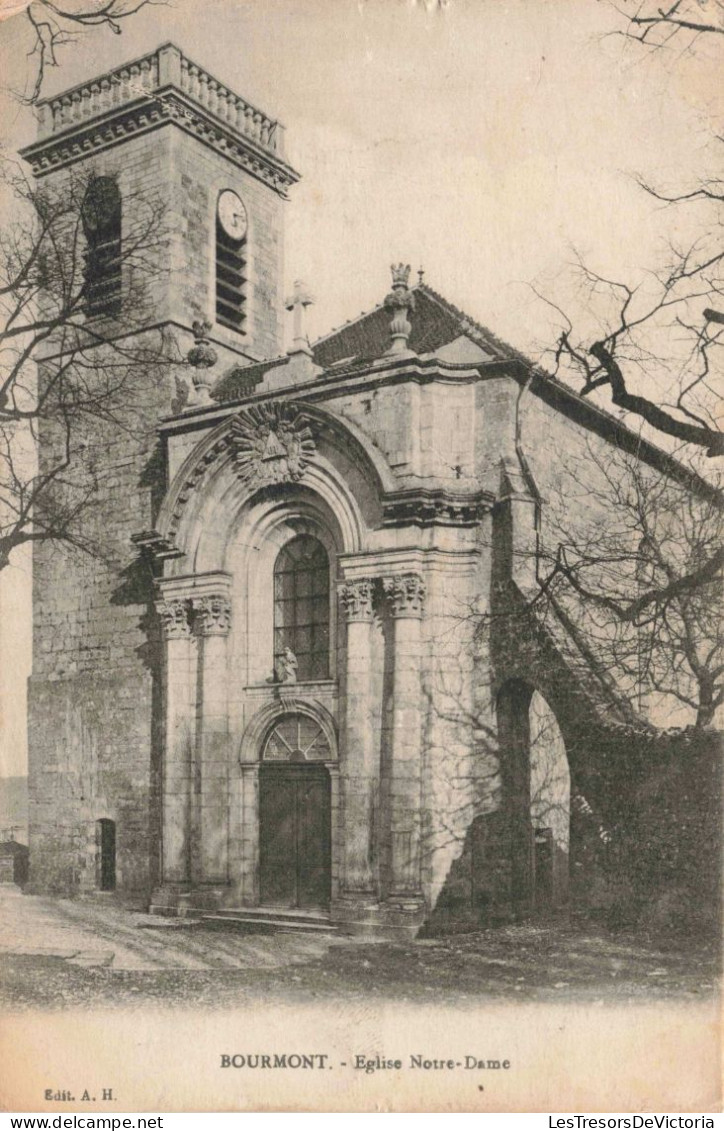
180,739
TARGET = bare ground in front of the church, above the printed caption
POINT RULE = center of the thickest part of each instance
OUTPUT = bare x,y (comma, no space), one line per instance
62,953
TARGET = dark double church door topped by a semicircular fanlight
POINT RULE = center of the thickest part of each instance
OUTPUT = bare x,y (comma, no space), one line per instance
296,816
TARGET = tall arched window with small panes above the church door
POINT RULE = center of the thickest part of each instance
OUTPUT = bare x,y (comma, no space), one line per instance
301,608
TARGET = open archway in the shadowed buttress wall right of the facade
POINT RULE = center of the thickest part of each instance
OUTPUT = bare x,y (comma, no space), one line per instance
536,781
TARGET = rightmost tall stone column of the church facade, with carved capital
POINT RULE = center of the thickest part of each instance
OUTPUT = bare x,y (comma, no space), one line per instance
407,597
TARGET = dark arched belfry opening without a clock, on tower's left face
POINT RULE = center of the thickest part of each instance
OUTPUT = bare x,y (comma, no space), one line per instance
102,215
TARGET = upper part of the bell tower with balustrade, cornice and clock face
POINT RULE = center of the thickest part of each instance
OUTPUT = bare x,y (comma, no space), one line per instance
163,128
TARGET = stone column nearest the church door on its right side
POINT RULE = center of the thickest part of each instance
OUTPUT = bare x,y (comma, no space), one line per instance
360,764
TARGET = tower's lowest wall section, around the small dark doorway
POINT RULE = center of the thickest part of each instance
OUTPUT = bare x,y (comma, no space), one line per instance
91,759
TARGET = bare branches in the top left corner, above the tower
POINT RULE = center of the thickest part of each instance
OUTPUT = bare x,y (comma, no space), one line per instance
53,27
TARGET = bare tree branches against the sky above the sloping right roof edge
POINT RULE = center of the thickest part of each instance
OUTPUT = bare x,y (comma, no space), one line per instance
659,348
